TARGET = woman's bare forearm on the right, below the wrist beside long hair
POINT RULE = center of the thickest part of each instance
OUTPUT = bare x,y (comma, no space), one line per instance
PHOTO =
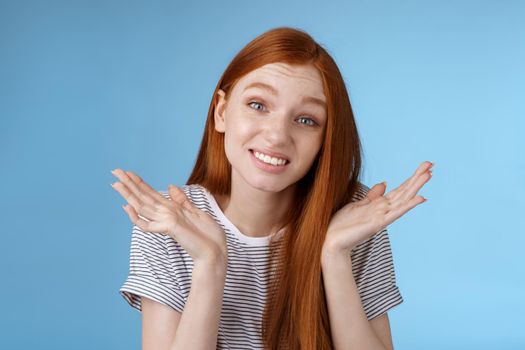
348,322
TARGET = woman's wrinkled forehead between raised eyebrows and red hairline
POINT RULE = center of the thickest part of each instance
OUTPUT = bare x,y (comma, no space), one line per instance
285,78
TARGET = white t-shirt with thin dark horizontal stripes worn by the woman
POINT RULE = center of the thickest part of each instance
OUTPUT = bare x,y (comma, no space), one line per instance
160,269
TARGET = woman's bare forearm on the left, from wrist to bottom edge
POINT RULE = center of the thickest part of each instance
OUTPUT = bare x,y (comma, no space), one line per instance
199,324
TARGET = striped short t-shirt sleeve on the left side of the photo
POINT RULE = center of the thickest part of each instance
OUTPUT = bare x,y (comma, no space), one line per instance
150,272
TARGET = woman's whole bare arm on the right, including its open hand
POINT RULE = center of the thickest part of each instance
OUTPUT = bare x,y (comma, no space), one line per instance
352,224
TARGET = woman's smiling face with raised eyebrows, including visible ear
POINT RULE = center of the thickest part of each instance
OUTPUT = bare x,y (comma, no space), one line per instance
278,111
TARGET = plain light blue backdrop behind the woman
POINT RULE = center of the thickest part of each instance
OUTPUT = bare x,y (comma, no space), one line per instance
89,86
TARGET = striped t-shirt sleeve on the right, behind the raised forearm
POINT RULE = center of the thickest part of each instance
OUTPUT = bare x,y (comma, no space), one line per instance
374,274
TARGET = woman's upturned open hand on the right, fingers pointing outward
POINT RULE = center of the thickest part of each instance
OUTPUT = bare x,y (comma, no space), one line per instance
358,221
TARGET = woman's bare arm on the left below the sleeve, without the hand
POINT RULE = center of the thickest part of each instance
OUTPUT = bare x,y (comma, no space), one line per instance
197,327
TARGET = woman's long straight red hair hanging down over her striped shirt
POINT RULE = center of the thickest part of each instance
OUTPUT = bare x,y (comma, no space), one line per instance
296,313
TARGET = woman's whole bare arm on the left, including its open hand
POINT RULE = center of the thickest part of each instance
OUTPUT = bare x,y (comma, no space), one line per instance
204,240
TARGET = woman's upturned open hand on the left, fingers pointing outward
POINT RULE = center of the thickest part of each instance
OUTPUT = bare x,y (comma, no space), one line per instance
195,230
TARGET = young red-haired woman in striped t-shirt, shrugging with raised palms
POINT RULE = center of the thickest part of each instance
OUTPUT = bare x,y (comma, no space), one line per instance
273,242
